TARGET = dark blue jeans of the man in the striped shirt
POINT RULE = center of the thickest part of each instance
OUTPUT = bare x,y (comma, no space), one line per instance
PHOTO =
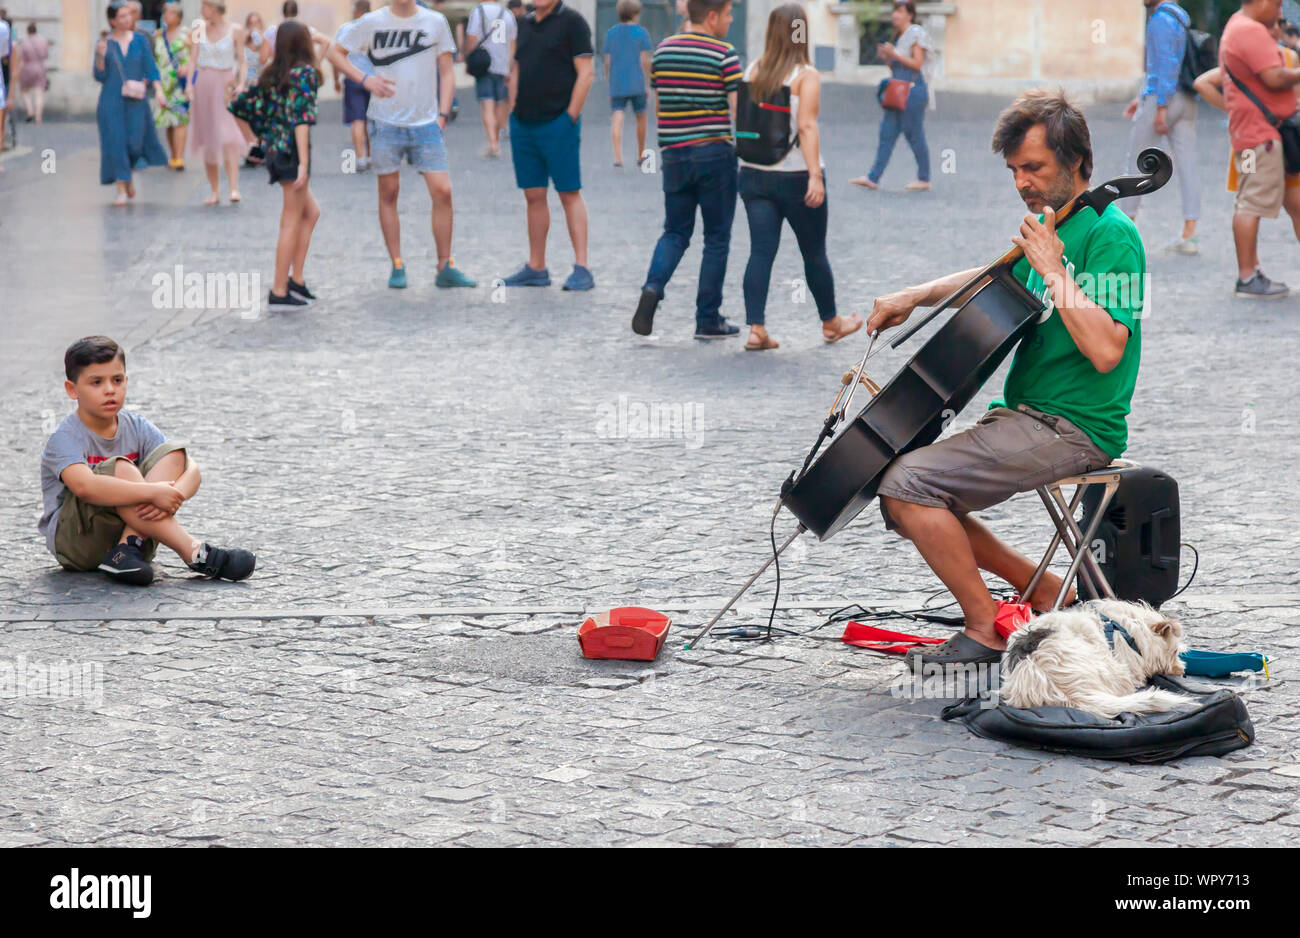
703,176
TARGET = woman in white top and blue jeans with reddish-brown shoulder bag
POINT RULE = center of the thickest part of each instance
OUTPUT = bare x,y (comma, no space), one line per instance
907,59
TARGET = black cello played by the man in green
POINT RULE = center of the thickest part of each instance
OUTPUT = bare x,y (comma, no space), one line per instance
935,385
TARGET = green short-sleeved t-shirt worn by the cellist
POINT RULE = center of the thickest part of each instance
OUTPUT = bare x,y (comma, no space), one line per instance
1106,258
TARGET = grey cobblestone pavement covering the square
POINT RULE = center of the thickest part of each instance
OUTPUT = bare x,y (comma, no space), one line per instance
437,487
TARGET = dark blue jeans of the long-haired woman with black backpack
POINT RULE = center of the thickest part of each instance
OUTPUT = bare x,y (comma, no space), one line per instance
772,198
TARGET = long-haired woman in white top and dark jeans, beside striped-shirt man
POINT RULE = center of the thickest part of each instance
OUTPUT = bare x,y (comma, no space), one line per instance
787,192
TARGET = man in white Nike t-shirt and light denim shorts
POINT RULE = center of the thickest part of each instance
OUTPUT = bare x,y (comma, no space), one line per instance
409,49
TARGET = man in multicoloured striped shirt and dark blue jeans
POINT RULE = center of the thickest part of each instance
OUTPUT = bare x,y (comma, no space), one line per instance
695,76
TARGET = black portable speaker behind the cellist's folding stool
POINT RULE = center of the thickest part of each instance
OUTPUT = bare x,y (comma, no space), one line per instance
1137,544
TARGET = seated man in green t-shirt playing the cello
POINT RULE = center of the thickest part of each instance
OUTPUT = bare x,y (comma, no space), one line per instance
1069,389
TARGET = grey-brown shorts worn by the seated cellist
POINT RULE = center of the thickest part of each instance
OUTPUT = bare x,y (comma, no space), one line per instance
1004,454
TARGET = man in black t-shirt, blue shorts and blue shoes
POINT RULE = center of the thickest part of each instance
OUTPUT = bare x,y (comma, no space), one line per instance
549,89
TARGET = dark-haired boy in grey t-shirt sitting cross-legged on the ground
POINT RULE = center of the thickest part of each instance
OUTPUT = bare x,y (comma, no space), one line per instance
112,483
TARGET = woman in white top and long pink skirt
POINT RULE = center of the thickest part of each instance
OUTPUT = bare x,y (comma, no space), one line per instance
218,72
